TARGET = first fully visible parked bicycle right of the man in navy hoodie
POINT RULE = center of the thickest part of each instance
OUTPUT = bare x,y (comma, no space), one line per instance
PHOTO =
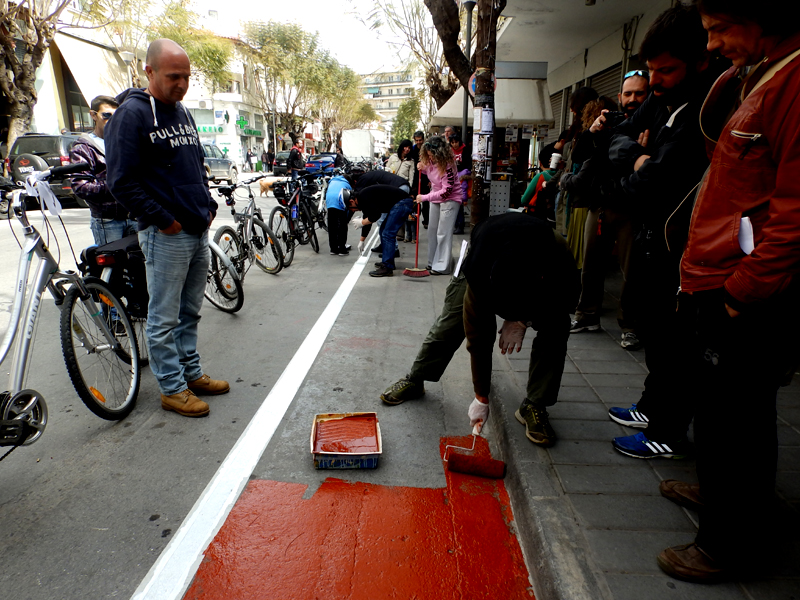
252,241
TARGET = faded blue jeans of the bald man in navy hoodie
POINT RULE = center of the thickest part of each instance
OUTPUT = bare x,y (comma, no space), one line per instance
177,266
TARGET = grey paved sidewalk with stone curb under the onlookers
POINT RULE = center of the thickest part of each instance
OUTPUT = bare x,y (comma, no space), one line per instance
592,520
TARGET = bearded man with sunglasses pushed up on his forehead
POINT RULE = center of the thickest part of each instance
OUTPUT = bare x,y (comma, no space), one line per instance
612,222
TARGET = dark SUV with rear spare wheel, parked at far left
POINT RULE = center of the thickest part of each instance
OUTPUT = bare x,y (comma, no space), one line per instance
39,151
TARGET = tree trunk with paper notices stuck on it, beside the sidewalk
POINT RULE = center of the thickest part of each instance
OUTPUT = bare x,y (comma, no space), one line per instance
486,47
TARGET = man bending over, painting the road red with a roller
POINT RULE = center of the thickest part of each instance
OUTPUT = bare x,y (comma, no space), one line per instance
519,270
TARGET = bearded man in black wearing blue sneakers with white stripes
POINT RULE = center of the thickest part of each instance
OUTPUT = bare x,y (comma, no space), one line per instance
661,150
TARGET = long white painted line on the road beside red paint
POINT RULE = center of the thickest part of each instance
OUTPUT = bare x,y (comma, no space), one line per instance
170,576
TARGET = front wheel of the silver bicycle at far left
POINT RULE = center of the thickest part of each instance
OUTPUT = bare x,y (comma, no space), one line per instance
105,371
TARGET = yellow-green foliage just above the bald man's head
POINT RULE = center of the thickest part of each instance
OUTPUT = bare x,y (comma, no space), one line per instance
208,53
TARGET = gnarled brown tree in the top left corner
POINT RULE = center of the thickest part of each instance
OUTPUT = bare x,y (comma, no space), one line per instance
26,32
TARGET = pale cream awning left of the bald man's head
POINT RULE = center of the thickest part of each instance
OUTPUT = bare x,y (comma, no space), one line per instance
98,70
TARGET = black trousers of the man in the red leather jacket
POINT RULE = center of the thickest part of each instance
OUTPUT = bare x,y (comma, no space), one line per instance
736,376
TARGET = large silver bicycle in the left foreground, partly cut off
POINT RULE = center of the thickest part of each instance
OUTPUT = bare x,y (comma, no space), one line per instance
97,338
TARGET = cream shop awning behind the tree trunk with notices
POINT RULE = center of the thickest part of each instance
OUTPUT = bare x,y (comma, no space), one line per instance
521,101
